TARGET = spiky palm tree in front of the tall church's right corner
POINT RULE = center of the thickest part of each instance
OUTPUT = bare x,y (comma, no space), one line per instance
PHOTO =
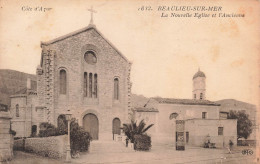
133,129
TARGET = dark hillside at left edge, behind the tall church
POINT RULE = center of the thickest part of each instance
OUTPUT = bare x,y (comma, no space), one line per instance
12,81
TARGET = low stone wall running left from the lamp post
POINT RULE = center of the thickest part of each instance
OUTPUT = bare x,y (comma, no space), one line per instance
53,147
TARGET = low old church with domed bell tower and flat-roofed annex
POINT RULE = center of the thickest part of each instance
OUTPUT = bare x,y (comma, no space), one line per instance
202,119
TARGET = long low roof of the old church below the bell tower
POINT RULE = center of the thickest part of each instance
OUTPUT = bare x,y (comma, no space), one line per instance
185,101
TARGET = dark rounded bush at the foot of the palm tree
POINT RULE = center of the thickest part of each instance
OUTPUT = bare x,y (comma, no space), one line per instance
142,142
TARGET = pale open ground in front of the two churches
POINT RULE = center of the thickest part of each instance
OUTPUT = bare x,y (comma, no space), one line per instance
116,152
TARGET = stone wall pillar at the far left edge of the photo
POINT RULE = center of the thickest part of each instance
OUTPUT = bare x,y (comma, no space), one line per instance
6,139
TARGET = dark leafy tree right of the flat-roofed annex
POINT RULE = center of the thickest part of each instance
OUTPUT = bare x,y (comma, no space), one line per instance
244,125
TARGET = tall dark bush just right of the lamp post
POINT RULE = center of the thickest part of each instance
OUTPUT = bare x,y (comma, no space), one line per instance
79,138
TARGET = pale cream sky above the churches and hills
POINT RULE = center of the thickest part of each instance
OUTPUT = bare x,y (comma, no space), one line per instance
165,52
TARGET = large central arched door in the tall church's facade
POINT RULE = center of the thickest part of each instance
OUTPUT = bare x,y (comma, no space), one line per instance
90,124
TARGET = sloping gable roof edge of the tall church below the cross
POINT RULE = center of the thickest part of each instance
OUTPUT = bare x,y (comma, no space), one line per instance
89,27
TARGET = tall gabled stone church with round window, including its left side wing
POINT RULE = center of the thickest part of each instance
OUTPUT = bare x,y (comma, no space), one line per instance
80,73
